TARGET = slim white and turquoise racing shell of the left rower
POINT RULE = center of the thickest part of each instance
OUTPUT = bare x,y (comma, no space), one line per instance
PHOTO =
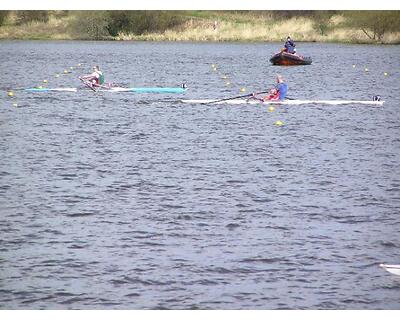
114,89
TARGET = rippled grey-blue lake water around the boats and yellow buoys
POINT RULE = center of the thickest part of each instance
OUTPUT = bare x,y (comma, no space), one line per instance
128,201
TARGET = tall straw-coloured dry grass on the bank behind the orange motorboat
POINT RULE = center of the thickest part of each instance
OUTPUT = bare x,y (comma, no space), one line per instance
300,29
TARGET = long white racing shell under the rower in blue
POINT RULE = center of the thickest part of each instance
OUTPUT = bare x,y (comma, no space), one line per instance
284,102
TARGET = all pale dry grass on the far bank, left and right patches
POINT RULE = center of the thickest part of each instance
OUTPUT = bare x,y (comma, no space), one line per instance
250,26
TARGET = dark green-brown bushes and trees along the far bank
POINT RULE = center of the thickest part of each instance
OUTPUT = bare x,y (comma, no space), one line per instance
107,24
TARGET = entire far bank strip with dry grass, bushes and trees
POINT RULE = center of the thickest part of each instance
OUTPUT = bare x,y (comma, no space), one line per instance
327,26
